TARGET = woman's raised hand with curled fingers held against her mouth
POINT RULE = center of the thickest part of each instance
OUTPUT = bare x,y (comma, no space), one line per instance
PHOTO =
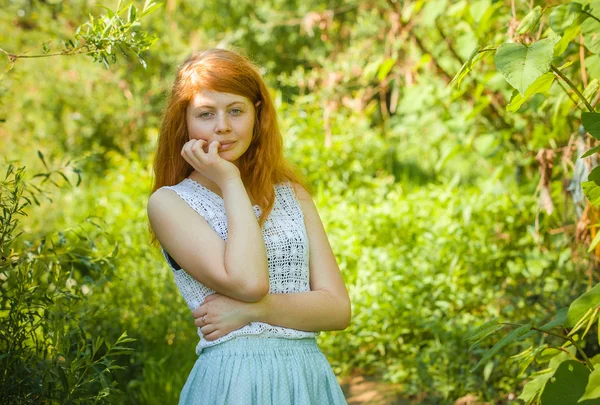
209,164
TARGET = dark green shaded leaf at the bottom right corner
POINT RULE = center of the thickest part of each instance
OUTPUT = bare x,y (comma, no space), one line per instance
567,385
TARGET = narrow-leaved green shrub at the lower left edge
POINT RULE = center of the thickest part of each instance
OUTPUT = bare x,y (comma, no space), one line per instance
47,355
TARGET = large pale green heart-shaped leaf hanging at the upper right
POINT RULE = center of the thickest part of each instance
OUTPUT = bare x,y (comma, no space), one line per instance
521,65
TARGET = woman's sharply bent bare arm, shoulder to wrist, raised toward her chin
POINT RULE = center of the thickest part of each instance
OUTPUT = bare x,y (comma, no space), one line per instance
237,268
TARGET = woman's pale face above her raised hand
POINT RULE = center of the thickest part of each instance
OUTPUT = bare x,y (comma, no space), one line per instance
224,117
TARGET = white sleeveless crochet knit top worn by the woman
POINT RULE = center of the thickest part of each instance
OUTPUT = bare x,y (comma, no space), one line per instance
286,243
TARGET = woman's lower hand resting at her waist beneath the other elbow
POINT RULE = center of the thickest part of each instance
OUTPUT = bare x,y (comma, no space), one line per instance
219,314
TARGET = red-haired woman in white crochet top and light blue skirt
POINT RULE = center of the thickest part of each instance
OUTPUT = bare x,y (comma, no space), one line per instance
244,241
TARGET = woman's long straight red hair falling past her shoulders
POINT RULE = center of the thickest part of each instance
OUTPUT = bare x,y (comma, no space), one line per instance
262,165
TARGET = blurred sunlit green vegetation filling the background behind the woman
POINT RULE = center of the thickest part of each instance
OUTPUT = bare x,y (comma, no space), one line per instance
446,204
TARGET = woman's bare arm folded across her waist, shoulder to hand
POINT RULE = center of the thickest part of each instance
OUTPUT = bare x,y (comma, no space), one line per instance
325,307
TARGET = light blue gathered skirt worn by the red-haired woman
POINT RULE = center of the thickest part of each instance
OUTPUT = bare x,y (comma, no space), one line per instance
252,370
